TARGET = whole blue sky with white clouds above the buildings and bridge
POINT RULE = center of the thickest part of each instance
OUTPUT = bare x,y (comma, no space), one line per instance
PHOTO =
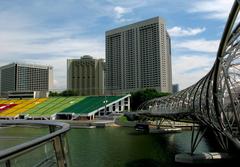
48,32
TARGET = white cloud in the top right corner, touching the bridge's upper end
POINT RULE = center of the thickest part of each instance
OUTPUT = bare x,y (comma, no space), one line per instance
214,9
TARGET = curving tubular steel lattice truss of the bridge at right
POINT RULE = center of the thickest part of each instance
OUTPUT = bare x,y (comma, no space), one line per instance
214,101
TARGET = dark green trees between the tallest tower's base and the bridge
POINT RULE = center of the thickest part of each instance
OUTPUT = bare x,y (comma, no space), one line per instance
139,97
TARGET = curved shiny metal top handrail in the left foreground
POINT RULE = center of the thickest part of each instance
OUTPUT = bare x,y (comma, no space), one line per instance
15,150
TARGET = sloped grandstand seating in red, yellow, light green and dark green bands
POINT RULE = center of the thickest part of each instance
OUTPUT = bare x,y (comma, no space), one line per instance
47,107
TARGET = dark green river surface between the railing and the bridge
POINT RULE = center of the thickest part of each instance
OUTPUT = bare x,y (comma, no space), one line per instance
114,146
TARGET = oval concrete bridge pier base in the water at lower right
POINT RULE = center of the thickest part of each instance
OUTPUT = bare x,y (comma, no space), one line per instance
201,158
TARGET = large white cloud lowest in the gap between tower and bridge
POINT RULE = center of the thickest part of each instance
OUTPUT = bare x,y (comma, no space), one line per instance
188,69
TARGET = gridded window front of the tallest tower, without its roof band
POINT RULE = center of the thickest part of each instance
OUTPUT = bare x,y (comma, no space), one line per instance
147,61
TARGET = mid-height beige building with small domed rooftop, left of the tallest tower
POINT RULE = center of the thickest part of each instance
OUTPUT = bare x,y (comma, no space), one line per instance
85,76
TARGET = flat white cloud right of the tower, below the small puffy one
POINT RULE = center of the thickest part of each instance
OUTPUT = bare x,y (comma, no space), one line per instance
199,45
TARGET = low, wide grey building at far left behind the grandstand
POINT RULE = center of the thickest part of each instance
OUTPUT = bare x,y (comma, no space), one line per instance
19,80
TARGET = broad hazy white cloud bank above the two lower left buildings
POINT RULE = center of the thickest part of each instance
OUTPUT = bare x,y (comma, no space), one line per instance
46,46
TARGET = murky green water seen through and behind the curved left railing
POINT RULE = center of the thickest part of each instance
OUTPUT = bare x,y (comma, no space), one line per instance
11,136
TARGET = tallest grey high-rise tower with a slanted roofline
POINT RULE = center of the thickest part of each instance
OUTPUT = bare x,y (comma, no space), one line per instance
138,56
